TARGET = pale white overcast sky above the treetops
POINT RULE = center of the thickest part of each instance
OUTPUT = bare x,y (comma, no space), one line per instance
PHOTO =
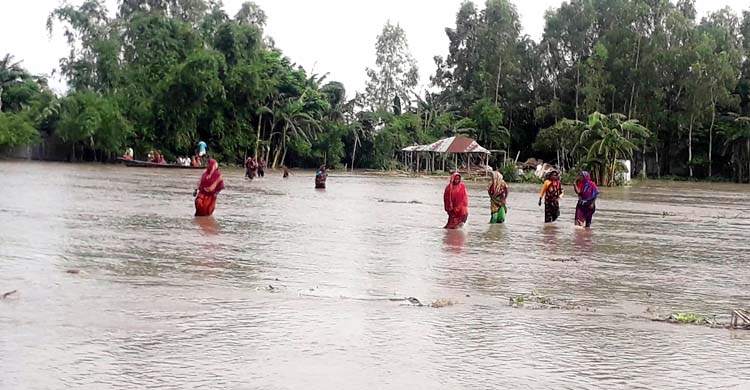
327,36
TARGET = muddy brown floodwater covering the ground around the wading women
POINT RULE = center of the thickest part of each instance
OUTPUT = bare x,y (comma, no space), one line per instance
288,287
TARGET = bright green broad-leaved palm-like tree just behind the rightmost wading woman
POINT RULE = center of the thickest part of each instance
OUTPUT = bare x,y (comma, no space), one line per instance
608,138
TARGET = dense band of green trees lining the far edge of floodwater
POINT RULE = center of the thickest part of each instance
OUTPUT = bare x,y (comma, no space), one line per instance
610,79
